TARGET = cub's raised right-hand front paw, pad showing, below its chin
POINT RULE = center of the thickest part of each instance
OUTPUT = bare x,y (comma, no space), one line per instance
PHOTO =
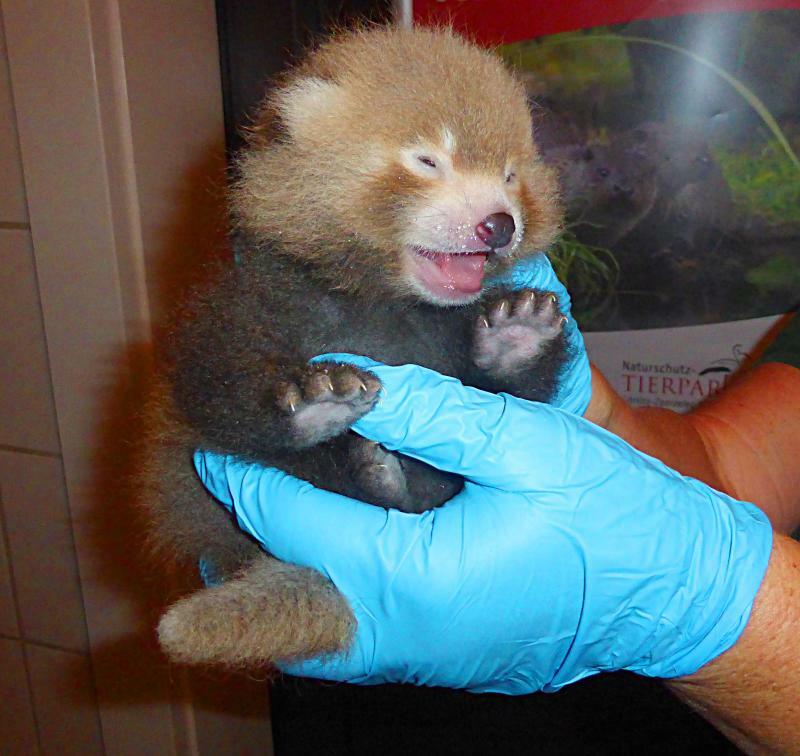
515,329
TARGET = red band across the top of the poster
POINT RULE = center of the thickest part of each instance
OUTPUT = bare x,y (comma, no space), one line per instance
493,22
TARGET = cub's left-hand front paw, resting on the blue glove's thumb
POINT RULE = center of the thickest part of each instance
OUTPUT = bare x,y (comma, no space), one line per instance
326,400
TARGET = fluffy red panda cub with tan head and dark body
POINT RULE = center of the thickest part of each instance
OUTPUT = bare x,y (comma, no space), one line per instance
388,178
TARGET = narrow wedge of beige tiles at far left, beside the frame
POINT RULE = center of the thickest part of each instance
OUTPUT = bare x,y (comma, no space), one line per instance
48,700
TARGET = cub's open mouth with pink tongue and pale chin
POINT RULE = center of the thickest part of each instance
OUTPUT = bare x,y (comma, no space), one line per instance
450,275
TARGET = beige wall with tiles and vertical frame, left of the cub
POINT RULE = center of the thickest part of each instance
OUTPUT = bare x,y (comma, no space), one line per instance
107,157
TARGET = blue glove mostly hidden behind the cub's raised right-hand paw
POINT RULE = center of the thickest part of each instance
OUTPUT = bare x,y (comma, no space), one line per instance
575,382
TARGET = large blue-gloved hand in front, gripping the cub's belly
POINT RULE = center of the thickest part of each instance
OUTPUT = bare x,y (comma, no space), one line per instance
566,554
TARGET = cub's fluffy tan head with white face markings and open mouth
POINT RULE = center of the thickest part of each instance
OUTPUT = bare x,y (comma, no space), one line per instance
398,162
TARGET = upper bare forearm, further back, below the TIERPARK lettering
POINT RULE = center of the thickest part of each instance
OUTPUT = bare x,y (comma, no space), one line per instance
745,441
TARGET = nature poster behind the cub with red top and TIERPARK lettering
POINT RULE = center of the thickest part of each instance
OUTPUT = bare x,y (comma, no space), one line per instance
675,130
